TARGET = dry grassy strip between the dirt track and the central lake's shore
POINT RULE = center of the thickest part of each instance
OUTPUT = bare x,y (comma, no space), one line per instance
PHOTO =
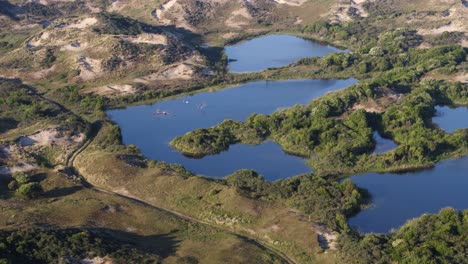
206,200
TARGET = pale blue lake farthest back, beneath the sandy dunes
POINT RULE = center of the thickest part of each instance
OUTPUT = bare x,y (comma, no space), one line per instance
273,51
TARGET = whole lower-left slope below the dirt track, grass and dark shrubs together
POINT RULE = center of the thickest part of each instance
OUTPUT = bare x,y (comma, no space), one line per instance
66,223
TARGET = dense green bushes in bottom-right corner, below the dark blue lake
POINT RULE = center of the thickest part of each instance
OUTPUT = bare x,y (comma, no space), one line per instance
439,238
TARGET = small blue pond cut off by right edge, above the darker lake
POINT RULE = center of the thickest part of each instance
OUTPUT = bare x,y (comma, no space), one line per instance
451,119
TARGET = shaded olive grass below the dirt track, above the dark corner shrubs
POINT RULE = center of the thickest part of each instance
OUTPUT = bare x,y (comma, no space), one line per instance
66,204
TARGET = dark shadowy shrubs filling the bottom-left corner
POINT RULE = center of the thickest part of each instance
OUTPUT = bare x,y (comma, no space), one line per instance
40,245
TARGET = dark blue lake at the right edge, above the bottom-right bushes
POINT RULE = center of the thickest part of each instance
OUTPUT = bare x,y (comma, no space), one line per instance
400,197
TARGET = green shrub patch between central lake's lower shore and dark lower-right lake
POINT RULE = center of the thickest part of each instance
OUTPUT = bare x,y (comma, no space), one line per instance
326,202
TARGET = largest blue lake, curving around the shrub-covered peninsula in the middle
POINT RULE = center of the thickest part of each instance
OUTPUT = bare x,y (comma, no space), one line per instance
152,133
